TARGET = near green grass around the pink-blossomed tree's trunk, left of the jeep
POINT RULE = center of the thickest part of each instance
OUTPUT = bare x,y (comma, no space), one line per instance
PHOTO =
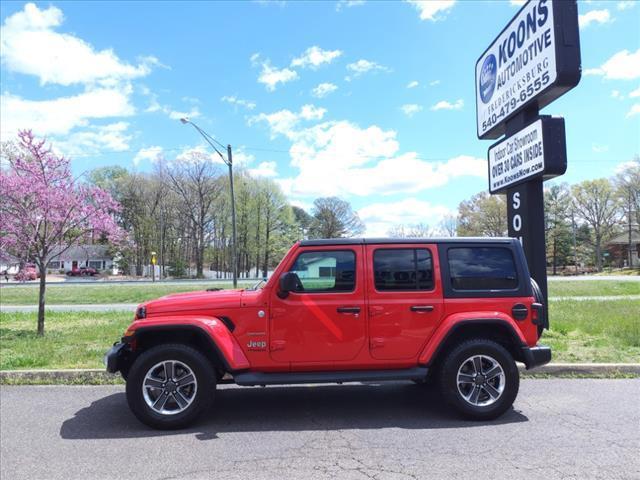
72,339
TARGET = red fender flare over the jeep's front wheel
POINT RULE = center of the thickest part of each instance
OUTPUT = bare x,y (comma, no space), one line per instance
212,330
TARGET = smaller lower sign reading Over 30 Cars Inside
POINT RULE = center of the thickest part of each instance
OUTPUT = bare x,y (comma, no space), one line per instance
536,151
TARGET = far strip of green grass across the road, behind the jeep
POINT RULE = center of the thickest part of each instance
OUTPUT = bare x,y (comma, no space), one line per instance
132,293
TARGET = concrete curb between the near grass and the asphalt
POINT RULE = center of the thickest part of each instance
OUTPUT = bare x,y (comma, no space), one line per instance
92,376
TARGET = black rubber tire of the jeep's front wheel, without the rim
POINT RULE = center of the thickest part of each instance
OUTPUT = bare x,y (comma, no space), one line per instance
202,398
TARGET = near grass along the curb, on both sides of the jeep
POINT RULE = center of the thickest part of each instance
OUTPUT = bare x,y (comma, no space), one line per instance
582,331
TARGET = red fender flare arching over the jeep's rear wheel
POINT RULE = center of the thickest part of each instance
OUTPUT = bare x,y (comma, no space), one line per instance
454,323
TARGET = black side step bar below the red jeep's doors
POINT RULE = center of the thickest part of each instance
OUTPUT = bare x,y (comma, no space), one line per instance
259,378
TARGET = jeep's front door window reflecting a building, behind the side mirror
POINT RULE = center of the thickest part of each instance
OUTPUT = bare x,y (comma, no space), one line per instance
329,271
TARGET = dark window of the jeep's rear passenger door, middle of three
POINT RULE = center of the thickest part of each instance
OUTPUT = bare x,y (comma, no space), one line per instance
403,269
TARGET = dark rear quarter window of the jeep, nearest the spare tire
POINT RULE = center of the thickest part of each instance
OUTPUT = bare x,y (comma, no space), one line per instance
482,268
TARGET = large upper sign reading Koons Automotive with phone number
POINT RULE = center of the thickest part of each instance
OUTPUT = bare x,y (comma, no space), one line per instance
534,60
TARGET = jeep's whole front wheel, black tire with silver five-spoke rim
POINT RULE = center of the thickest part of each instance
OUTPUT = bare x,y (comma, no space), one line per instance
170,385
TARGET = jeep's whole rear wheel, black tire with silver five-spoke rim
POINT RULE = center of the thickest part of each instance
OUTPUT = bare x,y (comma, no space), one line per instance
480,379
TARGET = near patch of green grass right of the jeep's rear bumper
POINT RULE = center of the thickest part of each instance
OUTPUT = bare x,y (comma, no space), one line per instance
594,331
